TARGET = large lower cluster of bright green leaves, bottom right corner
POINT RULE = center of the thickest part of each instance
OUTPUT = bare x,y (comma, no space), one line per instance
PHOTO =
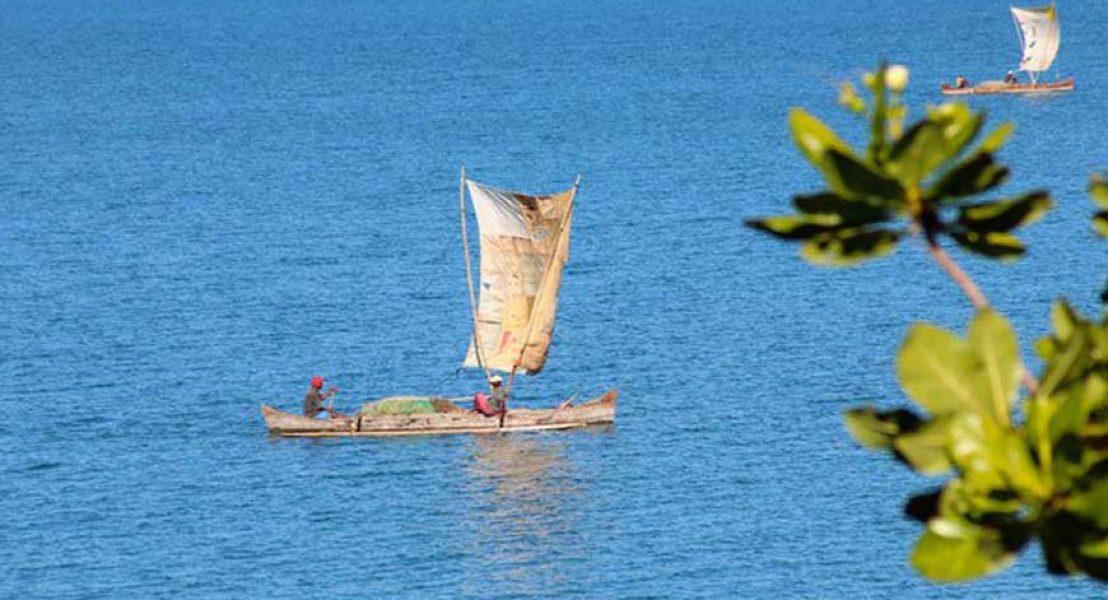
1045,477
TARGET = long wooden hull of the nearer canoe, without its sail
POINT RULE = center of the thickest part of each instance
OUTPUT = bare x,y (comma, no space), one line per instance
599,411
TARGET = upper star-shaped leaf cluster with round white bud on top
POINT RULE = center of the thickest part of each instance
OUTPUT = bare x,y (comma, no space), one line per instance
915,181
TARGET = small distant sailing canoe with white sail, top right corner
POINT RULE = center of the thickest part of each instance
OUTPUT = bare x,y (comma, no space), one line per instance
1040,38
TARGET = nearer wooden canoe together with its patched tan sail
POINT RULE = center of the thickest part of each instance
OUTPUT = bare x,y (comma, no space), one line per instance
525,247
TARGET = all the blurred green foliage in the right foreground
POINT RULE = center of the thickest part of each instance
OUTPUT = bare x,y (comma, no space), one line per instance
1017,468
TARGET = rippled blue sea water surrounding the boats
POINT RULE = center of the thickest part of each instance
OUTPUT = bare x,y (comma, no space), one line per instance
208,202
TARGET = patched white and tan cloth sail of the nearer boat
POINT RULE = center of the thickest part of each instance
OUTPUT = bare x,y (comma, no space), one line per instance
525,246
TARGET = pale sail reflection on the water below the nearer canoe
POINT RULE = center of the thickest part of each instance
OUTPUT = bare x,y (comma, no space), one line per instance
525,515
